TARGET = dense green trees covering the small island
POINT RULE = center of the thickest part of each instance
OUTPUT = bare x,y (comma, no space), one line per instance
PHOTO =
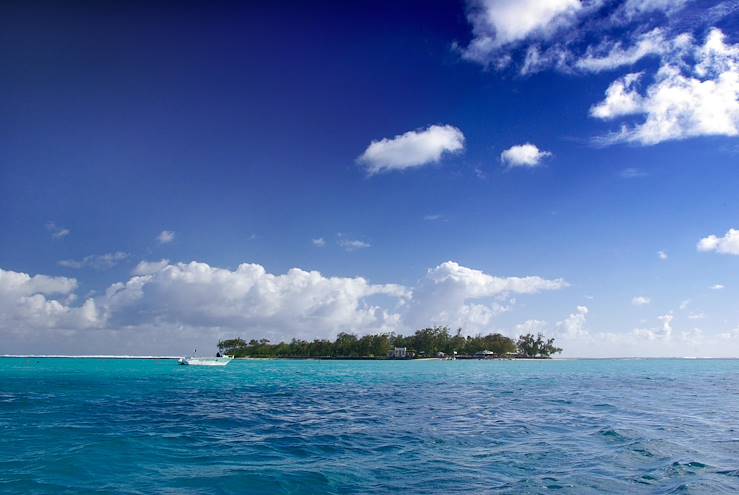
428,342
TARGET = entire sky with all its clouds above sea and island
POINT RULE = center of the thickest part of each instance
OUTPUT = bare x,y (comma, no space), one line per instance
175,174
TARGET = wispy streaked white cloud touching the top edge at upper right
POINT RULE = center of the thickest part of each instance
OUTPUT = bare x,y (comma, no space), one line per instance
580,36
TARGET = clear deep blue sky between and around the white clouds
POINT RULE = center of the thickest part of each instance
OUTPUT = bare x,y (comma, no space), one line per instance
238,127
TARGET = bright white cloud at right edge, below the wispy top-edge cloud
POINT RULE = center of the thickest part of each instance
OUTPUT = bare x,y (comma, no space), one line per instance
685,100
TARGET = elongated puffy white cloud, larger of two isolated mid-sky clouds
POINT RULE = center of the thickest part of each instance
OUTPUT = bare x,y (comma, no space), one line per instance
412,149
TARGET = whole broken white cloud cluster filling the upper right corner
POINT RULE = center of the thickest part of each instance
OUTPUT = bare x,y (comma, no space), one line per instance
693,93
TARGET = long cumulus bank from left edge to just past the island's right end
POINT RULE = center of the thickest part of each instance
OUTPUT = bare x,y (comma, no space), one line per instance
163,298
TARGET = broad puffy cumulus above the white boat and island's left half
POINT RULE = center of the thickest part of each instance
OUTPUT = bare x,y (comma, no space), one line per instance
297,303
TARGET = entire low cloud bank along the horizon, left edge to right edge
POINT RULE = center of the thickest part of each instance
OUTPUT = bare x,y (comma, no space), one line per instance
167,306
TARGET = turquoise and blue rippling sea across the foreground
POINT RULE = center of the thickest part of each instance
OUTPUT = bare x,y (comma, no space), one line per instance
135,426
